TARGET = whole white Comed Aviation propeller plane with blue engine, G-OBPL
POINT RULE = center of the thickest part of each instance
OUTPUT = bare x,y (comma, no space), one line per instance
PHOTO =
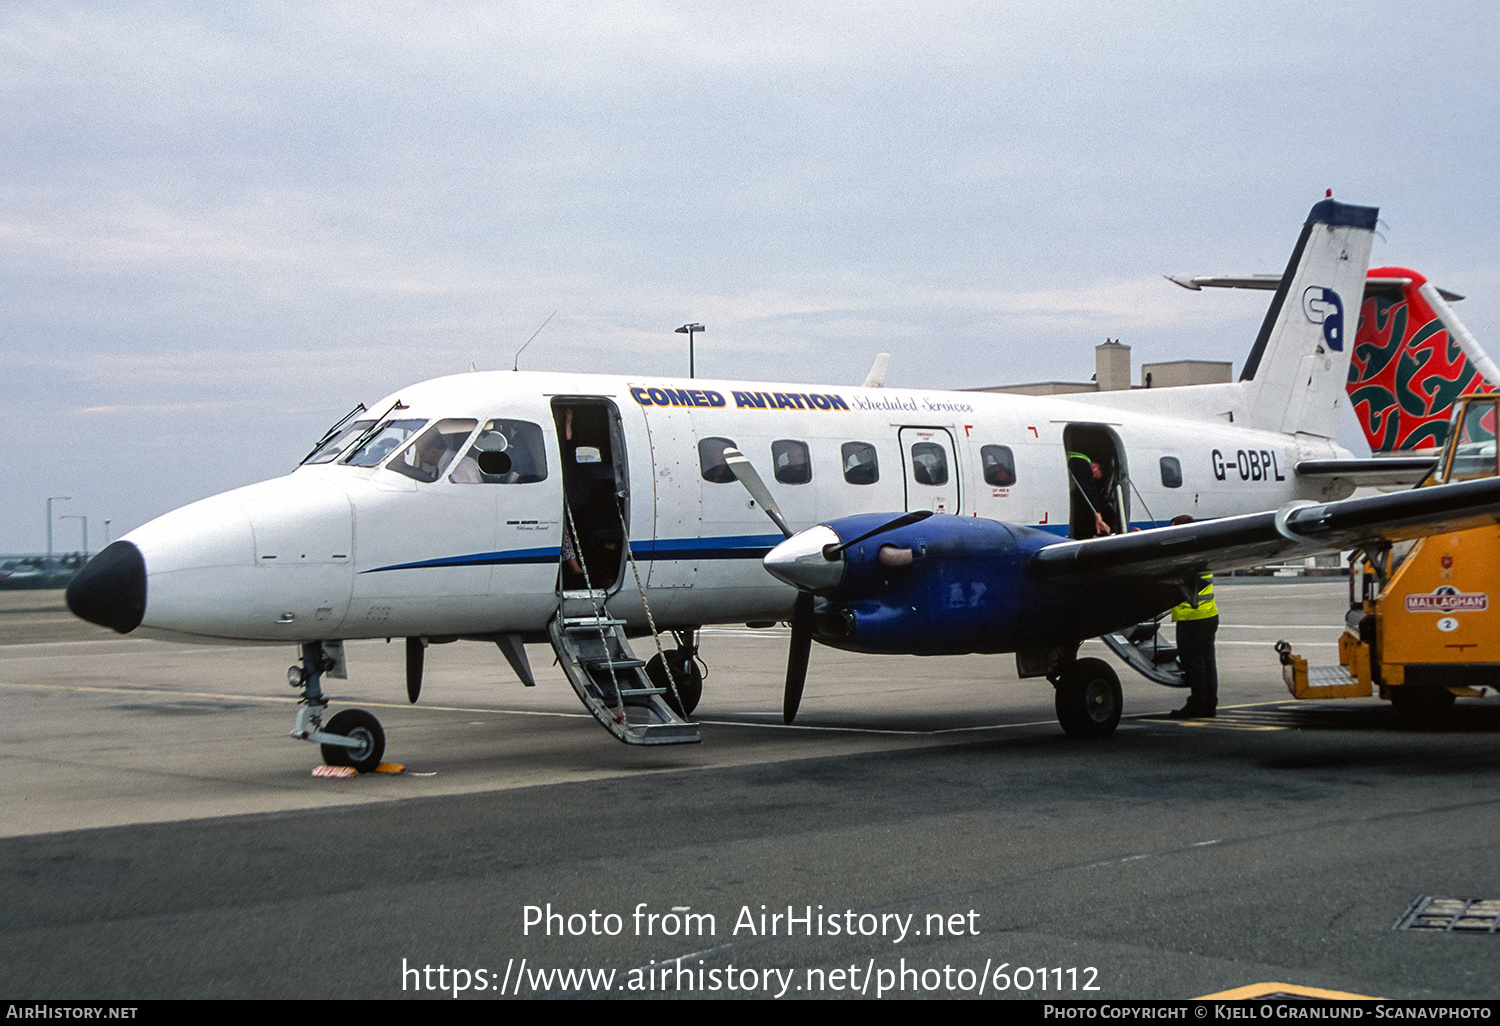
586,511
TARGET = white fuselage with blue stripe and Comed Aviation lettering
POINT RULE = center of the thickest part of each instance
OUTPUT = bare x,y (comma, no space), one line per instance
337,551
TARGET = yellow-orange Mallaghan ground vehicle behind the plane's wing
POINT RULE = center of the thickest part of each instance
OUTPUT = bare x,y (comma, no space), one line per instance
1423,625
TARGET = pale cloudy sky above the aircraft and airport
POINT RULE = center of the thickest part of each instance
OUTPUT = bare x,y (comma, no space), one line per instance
223,226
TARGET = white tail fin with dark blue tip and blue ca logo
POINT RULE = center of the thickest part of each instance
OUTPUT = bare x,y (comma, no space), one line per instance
1298,367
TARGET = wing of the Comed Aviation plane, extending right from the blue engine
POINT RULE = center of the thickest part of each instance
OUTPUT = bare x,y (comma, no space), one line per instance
1297,530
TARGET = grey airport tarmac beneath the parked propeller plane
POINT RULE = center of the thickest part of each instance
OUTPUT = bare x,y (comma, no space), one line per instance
163,838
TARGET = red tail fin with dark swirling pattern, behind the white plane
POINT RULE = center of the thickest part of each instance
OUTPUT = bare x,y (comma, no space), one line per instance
1412,359
